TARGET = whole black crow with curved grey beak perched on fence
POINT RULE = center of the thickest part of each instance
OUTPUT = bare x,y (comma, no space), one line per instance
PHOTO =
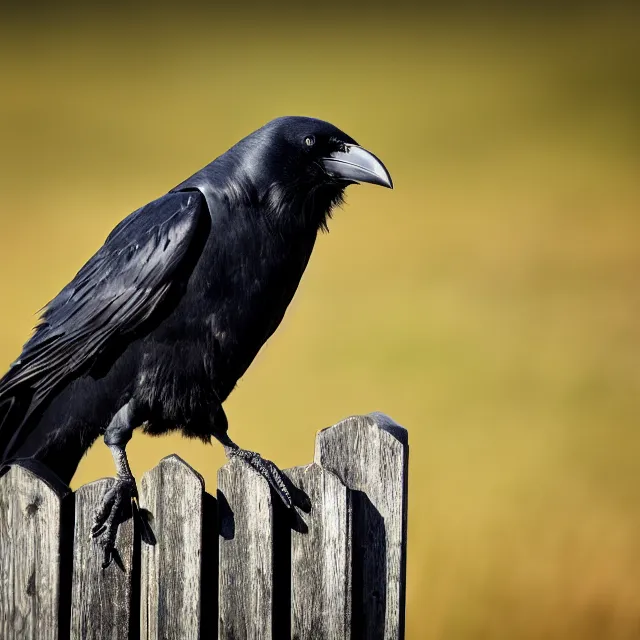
158,326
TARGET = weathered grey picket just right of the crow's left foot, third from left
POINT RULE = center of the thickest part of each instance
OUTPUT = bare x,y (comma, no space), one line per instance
170,597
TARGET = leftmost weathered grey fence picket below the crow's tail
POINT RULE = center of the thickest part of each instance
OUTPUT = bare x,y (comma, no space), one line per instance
31,540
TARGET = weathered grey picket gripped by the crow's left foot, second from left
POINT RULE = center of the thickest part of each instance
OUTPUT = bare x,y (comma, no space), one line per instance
102,603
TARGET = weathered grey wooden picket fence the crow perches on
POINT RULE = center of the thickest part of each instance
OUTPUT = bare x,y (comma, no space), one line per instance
233,567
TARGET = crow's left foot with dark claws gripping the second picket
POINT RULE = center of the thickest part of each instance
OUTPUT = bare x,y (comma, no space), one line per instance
114,509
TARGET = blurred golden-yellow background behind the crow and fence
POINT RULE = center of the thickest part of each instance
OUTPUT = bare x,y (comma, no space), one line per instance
490,303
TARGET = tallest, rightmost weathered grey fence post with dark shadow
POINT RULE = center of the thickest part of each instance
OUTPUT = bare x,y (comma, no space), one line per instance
370,455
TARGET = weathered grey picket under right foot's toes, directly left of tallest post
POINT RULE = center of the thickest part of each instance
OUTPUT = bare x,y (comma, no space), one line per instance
321,558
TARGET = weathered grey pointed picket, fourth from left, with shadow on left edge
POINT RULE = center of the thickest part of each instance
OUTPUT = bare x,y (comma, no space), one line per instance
246,546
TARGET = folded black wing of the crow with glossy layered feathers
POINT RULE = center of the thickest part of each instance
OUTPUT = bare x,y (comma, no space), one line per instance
116,291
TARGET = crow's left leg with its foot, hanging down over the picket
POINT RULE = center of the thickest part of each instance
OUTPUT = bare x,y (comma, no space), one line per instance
116,502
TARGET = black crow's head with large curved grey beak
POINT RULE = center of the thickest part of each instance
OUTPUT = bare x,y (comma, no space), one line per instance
301,167
